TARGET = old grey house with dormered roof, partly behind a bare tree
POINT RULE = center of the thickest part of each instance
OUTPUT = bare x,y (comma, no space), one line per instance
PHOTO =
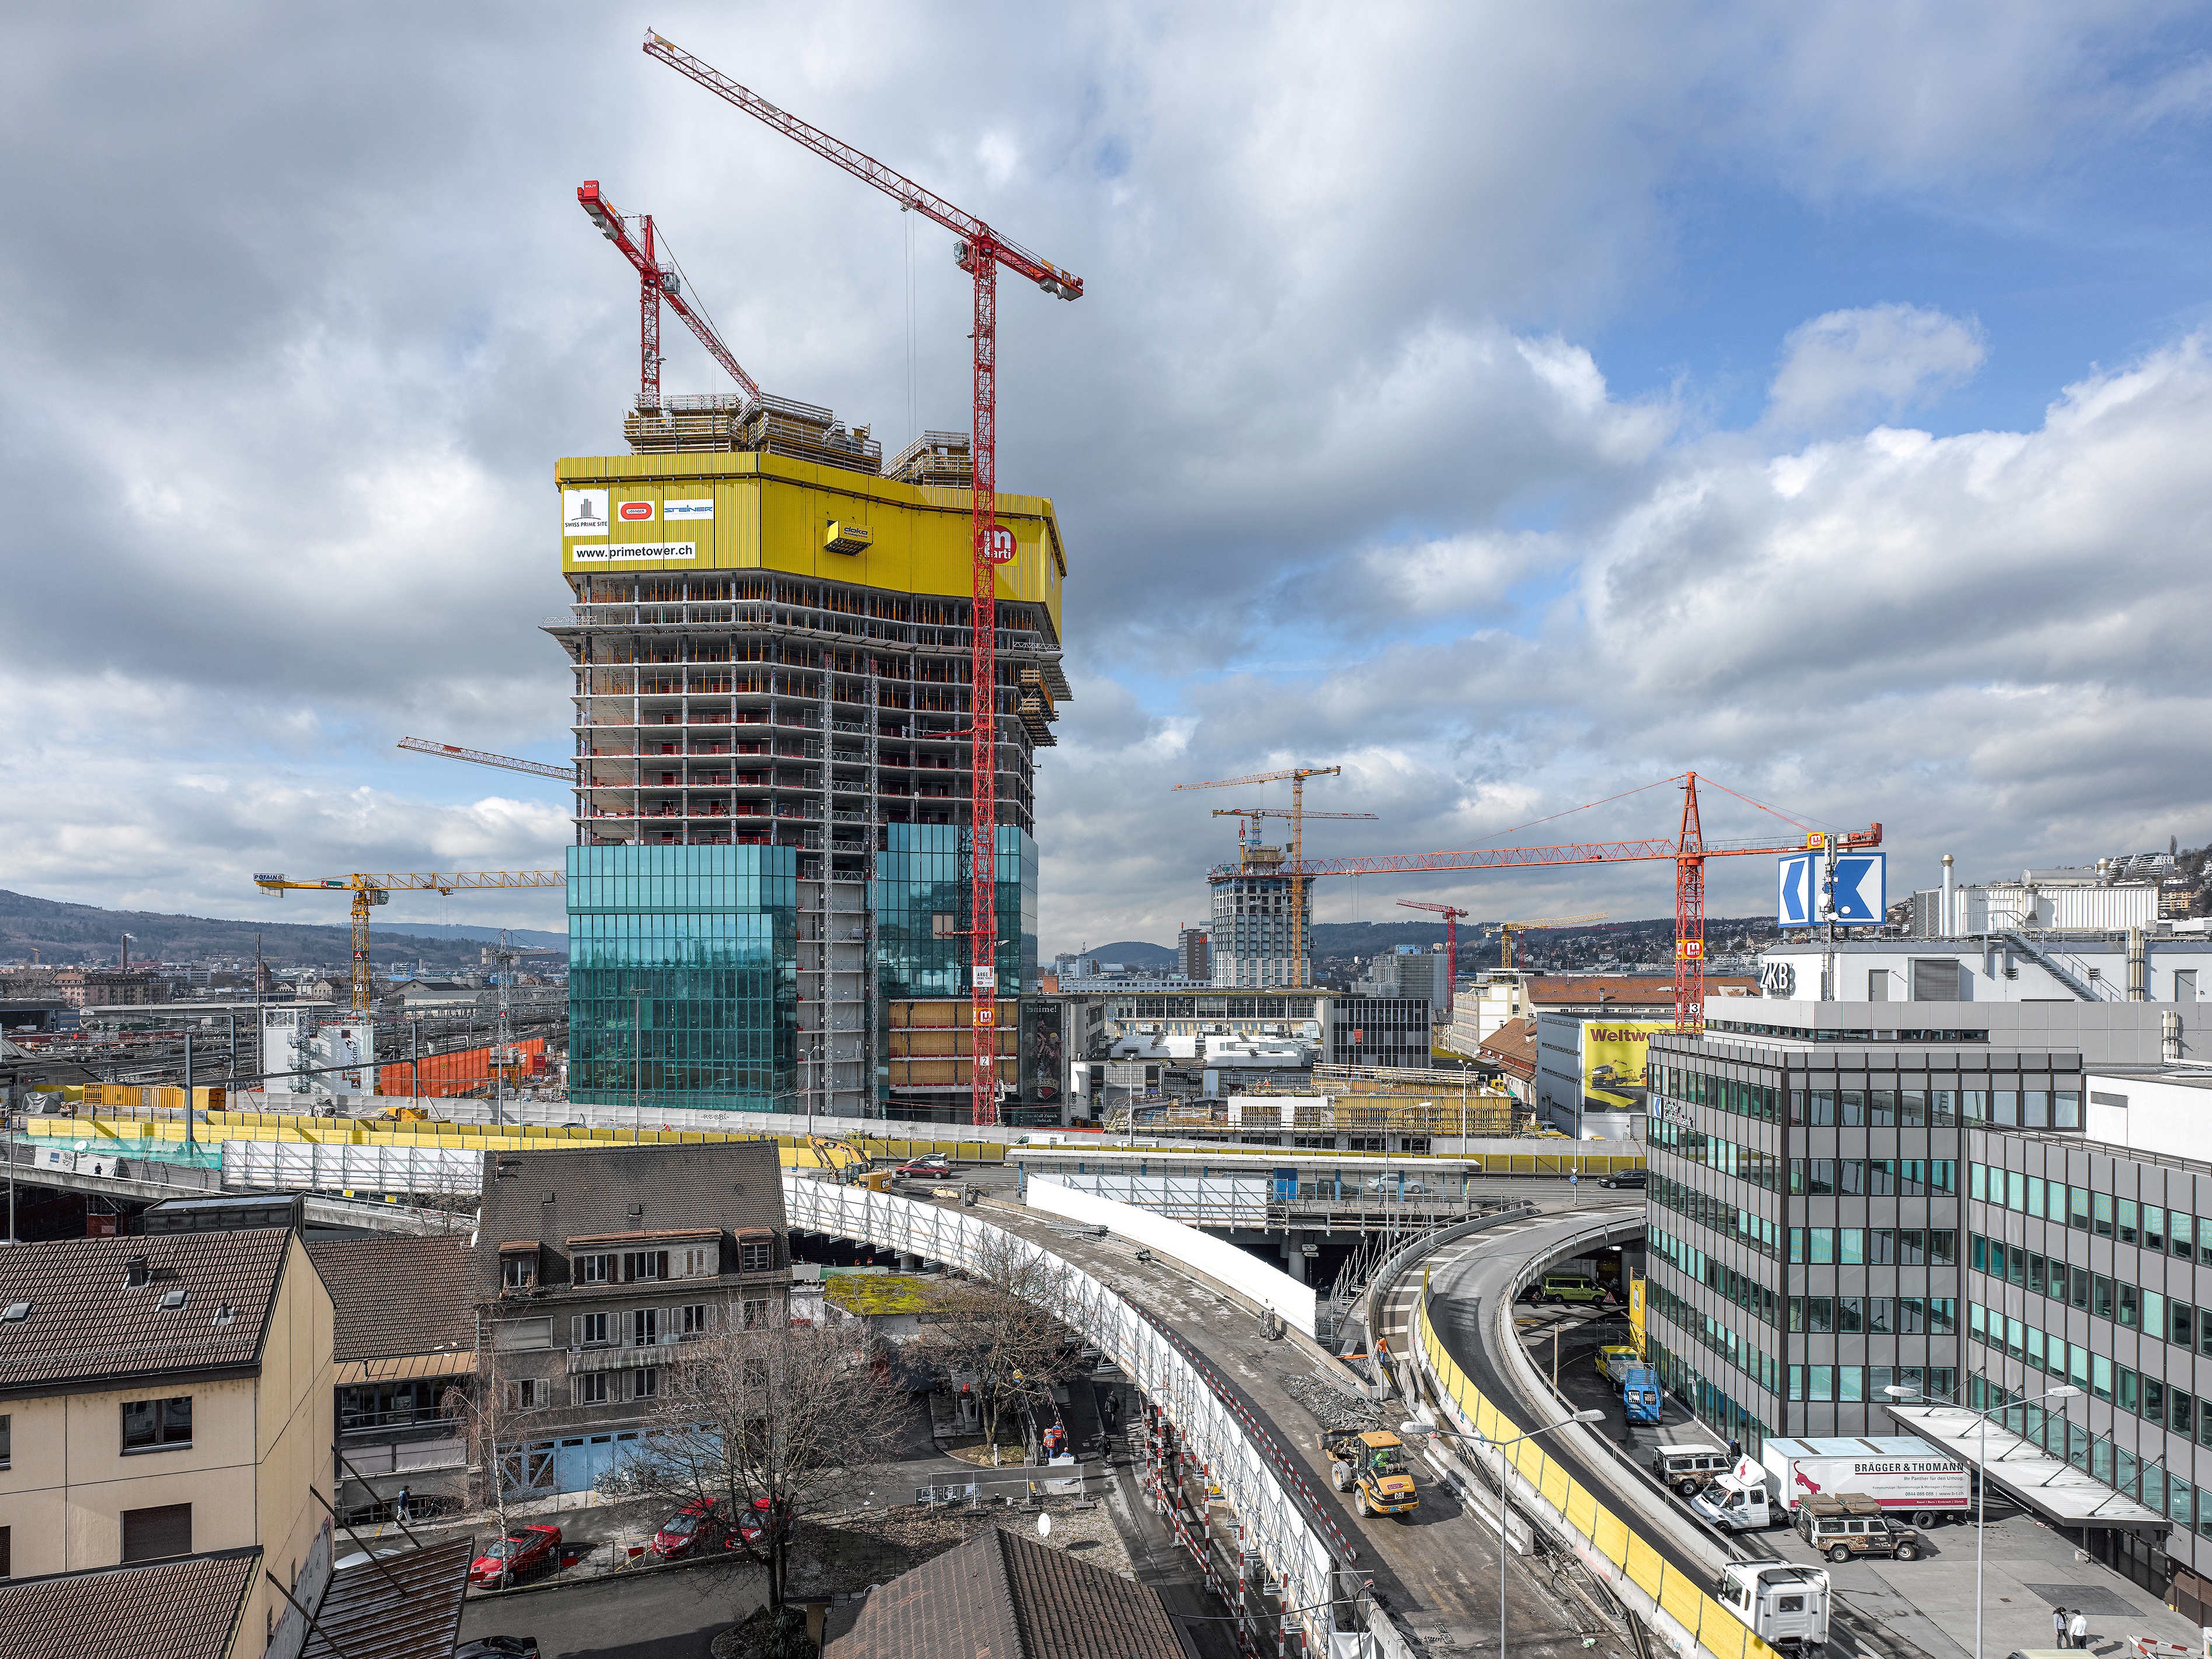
592,1266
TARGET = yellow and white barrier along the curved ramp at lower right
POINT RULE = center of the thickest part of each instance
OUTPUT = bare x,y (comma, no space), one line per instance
1669,1600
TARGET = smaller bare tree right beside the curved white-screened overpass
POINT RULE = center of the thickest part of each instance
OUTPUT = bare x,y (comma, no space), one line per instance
997,1328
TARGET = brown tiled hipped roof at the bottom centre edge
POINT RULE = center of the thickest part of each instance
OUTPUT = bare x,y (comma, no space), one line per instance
1010,1598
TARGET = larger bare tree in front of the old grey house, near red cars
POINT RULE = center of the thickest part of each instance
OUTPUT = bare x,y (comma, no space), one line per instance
766,1423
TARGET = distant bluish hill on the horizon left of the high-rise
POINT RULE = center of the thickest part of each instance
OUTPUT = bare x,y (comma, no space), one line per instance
87,932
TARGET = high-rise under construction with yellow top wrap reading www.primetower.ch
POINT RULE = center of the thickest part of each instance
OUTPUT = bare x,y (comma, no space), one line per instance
773,709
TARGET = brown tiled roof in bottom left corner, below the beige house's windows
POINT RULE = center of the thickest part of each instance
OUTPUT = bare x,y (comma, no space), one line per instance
185,1609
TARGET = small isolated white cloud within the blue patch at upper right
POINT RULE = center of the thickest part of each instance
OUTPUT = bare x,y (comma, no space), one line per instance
1877,362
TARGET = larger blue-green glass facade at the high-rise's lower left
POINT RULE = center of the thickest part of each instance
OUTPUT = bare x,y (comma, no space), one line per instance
711,939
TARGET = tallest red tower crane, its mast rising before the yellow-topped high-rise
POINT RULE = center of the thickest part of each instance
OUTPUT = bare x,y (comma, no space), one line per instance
981,251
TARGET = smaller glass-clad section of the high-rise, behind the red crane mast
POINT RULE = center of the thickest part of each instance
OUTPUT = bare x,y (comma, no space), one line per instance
921,904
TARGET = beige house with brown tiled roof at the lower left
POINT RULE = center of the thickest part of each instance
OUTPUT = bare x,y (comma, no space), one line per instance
167,1397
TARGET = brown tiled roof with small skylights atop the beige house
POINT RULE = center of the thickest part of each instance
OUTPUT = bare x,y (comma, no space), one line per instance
87,1324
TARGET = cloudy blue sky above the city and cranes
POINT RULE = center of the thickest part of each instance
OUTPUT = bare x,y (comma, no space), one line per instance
1514,406
